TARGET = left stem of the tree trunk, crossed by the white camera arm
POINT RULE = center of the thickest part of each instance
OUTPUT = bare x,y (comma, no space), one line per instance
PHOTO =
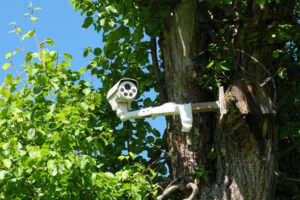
180,44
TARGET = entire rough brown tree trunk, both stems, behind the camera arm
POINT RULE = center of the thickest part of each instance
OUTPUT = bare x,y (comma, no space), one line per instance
244,141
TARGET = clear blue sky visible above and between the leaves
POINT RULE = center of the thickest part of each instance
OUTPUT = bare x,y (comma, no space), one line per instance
58,21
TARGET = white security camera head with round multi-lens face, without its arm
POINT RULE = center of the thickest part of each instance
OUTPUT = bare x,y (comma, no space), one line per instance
122,94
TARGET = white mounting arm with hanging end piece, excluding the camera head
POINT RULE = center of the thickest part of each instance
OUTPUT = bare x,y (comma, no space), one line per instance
185,111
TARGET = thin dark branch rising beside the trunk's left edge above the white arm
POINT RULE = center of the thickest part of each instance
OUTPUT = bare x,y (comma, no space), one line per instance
159,83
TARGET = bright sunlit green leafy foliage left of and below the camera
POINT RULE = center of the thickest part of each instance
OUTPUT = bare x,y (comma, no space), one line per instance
58,139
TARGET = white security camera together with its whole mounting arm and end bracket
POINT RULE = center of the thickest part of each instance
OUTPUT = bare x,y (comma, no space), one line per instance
123,93
